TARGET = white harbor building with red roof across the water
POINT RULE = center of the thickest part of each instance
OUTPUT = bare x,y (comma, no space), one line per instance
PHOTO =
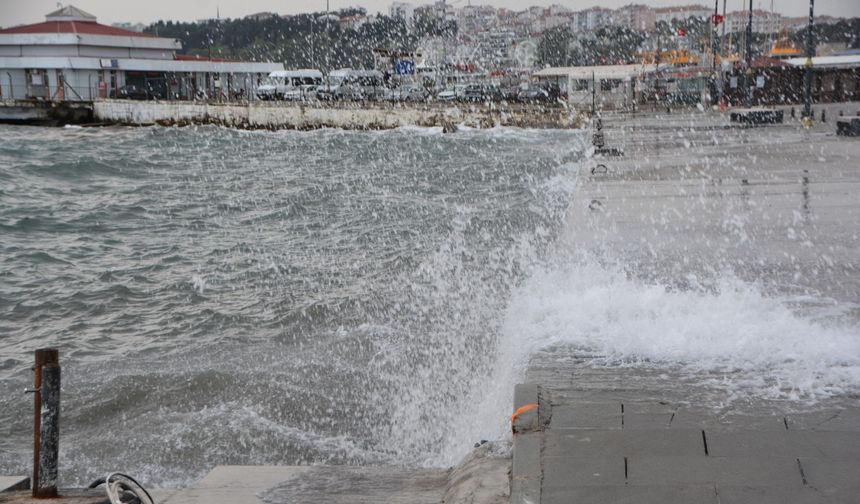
72,57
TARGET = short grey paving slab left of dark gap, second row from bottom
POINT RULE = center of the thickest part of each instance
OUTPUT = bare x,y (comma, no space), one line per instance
567,472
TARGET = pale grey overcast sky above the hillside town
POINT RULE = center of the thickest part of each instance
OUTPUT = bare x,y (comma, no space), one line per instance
13,12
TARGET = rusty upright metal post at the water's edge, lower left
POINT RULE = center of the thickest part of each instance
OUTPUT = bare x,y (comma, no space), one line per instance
46,422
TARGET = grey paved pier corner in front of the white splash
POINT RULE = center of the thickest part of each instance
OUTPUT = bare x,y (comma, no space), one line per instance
624,444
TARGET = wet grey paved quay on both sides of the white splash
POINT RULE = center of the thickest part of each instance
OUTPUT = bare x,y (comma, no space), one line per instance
589,429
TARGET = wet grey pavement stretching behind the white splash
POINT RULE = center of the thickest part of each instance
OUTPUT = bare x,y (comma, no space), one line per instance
776,205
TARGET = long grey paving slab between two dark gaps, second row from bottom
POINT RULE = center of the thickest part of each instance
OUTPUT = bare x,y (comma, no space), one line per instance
736,471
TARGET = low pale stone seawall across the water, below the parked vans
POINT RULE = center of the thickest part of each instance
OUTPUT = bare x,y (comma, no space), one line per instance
356,116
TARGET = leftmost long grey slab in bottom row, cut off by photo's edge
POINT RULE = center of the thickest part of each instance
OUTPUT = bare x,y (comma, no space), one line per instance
632,494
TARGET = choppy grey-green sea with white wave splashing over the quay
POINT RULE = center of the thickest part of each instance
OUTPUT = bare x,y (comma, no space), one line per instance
229,297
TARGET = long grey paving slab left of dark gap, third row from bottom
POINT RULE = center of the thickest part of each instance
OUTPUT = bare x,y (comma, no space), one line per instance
606,443
